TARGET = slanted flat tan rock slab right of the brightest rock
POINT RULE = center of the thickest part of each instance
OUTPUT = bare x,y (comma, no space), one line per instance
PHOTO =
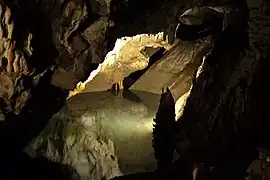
174,70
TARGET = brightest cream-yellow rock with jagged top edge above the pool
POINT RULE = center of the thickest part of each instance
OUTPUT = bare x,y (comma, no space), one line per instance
126,57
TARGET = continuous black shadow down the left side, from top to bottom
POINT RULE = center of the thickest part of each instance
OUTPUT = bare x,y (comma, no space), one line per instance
17,130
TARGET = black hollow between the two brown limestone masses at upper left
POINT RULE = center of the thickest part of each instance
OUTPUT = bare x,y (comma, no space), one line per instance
28,18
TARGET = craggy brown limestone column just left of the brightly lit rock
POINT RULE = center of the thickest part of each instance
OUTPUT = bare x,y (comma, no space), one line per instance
79,34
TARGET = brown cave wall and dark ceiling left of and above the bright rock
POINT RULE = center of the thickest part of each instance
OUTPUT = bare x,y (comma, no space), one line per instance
71,38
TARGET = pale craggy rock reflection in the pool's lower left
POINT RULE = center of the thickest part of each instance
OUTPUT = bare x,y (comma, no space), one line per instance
77,141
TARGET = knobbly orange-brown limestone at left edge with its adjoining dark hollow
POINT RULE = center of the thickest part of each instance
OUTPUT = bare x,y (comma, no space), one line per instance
18,63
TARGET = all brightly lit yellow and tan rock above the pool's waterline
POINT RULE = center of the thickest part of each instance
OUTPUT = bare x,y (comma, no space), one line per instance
175,70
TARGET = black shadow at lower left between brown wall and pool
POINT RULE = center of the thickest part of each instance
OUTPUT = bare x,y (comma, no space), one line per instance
17,131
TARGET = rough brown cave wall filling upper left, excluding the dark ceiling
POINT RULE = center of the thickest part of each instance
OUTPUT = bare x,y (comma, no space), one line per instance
66,37
